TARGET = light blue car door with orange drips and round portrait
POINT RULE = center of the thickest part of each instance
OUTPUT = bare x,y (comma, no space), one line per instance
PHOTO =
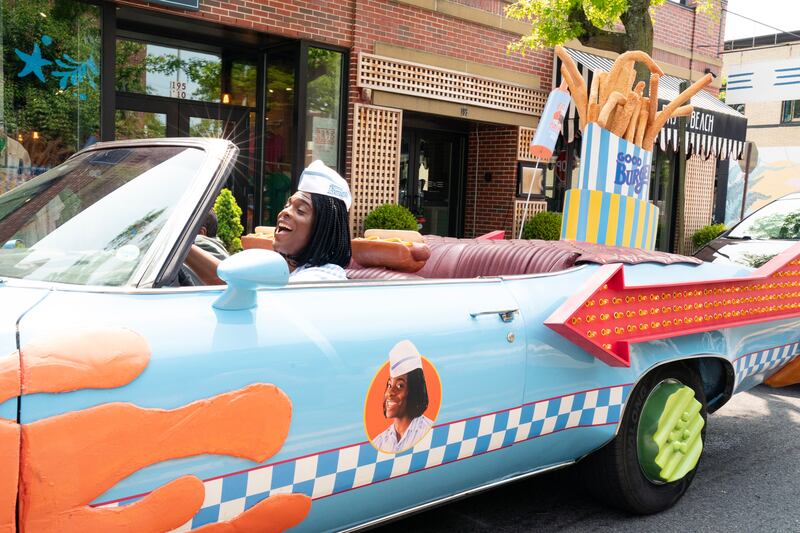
264,402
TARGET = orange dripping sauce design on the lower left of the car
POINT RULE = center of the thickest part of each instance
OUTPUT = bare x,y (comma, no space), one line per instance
68,460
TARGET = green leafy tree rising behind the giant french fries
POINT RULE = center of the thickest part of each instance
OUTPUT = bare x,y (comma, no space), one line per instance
594,23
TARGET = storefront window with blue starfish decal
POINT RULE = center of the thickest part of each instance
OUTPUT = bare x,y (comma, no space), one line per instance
51,79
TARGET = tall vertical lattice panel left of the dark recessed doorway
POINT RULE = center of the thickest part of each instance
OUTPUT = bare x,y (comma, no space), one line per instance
375,163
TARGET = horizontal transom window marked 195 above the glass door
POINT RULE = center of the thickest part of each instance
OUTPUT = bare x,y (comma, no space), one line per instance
147,68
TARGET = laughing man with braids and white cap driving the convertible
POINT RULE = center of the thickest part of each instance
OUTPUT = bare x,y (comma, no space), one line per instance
312,232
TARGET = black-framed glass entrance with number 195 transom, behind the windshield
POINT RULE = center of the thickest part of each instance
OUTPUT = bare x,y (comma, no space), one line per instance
169,91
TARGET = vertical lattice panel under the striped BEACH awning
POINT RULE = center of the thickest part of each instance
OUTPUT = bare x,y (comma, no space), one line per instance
699,199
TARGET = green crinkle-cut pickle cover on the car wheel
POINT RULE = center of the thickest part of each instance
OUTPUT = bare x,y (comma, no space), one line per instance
670,432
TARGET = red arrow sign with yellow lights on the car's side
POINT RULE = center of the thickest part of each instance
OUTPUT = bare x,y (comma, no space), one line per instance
605,316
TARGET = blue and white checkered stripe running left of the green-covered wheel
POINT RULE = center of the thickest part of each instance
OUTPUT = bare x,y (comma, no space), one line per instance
351,467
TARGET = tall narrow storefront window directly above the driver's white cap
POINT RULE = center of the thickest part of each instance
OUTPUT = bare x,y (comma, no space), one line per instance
323,100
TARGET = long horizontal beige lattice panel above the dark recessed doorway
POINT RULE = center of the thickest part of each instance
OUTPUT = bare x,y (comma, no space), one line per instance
396,76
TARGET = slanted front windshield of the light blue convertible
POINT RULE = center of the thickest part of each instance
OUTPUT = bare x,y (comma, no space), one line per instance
92,220
